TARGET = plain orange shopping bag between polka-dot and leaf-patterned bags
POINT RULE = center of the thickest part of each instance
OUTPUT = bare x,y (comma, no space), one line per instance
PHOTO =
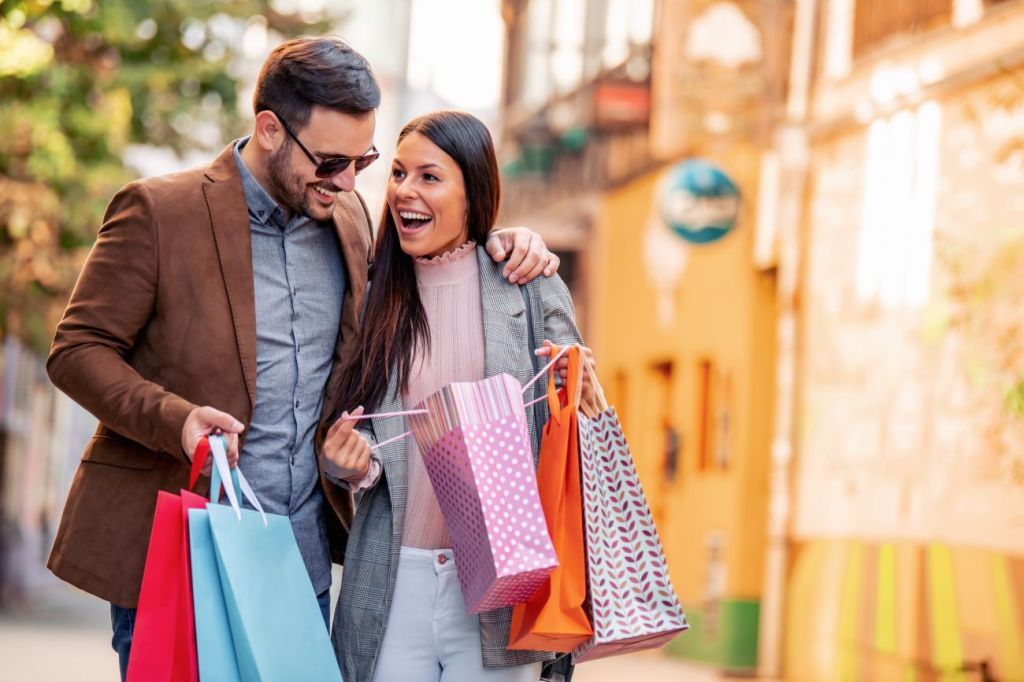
554,620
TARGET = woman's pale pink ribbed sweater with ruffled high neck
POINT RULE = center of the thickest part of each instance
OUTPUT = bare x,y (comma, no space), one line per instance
450,290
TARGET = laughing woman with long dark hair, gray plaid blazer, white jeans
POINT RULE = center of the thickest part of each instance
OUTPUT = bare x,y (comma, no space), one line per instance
439,312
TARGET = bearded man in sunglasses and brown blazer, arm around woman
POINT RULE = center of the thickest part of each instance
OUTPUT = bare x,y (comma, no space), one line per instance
227,300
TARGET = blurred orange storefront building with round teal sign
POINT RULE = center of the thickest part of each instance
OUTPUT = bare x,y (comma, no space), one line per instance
644,168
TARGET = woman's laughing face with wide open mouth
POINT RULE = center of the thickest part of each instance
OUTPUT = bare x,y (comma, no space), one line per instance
426,195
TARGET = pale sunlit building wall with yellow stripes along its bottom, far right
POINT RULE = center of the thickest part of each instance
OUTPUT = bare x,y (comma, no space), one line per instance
909,490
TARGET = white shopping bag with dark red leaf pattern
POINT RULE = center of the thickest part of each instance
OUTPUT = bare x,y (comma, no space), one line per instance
630,598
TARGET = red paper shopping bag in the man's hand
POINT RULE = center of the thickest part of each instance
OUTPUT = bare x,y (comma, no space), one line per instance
163,648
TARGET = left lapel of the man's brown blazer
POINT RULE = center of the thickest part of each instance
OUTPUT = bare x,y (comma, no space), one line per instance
230,219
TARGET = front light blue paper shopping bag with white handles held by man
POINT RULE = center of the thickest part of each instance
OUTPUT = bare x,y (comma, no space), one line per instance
277,628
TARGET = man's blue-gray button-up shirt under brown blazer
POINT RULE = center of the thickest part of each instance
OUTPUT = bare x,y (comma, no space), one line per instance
300,281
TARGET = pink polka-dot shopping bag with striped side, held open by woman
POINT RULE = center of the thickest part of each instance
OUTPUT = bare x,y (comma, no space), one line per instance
477,450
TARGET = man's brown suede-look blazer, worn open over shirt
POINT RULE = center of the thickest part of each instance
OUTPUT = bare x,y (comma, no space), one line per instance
163,321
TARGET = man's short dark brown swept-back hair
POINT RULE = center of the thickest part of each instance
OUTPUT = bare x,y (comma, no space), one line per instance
306,72
